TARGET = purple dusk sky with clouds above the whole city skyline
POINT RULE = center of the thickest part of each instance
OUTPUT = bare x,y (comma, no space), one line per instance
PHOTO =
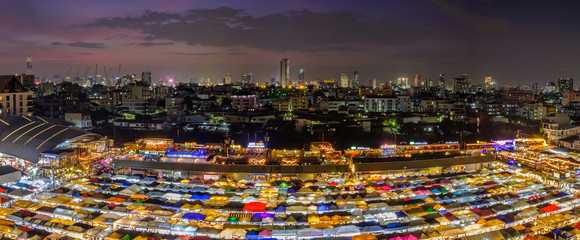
514,41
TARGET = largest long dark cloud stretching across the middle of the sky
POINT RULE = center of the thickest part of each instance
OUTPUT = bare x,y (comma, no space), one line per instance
303,30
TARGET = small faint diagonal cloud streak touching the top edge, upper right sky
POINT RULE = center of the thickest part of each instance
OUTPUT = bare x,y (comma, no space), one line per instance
471,18
